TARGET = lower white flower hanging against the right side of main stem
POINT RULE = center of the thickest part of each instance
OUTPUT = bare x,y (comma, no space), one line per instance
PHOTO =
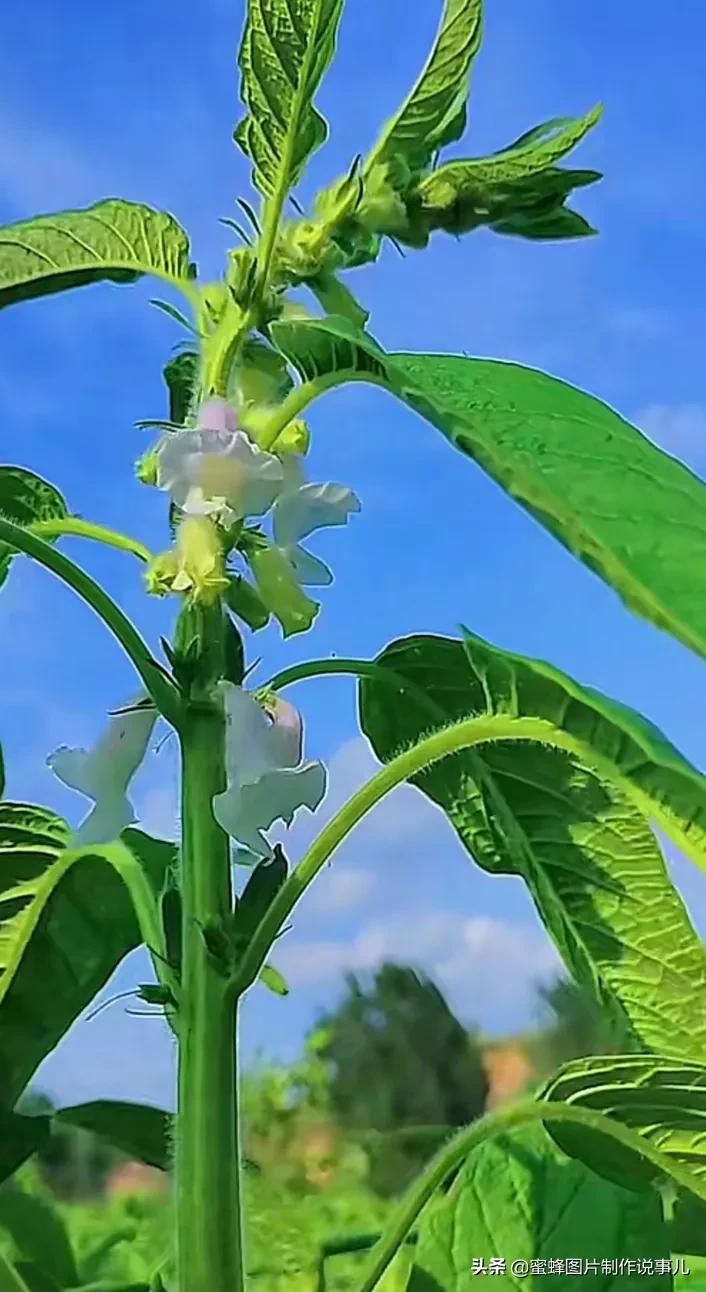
267,780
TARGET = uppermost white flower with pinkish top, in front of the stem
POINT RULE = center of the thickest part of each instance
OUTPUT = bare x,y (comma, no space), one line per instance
217,470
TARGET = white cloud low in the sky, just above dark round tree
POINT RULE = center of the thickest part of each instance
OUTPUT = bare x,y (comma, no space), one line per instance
484,964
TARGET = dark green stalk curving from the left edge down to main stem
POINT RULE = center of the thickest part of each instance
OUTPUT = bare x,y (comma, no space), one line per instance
158,685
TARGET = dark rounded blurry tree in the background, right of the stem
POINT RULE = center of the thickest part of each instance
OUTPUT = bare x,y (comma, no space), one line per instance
403,1072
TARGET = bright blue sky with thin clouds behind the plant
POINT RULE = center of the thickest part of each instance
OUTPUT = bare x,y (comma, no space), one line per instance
140,101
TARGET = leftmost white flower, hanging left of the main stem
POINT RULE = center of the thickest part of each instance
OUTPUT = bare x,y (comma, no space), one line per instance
105,773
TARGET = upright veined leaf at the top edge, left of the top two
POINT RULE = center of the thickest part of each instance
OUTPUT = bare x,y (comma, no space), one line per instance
286,50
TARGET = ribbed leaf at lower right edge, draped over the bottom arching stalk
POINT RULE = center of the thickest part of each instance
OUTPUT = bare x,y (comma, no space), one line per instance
663,1099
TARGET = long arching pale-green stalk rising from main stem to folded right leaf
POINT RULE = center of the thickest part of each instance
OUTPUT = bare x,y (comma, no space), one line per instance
452,740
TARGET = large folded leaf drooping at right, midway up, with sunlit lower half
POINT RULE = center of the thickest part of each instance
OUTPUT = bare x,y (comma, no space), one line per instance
590,861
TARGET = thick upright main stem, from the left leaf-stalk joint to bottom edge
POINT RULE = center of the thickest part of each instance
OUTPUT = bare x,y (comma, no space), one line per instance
210,1249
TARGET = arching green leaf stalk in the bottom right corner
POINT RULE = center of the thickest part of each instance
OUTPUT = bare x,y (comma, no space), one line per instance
453,1154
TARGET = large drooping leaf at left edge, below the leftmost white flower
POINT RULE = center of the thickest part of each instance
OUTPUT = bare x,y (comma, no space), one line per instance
67,923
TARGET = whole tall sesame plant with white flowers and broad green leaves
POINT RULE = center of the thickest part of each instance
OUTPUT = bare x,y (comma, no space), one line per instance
540,776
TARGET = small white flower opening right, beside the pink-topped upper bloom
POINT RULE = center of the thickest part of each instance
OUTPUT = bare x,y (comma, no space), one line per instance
299,511
